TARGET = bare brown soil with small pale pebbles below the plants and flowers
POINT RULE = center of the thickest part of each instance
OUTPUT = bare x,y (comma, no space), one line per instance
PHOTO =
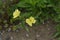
40,32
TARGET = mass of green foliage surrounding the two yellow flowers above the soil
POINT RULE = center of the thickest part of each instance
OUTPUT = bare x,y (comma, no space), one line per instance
40,10
